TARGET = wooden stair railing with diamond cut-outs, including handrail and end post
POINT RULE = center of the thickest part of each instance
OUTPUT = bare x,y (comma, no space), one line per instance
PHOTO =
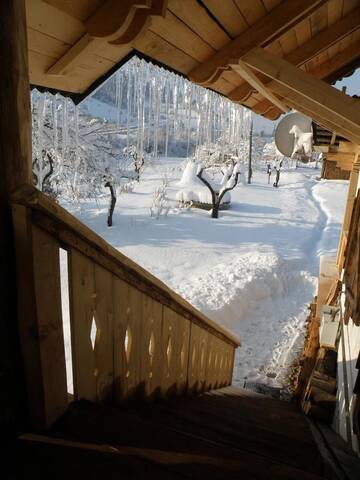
149,341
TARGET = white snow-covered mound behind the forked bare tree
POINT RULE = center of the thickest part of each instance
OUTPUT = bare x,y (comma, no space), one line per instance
192,188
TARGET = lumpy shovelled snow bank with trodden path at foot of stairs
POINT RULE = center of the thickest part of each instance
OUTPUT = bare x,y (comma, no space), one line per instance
260,297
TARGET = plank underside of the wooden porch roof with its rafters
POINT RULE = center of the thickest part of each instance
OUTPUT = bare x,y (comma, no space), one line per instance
74,45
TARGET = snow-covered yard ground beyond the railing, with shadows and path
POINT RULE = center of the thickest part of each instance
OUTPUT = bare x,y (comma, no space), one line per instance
253,270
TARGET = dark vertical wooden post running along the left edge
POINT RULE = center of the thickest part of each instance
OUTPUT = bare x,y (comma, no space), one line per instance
15,162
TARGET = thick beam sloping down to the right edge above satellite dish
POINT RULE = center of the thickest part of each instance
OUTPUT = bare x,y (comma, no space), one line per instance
338,107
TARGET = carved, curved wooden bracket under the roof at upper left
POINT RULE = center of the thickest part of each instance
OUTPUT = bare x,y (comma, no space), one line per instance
115,23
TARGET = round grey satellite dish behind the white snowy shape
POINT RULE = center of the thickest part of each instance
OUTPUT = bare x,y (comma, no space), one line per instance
284,140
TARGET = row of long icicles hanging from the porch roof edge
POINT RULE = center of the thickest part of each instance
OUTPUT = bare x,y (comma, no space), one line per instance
152,109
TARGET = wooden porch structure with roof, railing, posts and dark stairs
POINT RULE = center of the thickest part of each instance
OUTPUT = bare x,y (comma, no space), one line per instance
269,55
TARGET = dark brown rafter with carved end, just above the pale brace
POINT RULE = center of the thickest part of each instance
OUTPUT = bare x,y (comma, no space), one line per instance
265,31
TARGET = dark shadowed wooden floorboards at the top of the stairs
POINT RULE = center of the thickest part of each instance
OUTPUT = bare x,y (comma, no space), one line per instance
228,434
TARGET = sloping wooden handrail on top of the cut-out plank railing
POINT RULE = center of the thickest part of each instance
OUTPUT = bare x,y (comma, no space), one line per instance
69,231
